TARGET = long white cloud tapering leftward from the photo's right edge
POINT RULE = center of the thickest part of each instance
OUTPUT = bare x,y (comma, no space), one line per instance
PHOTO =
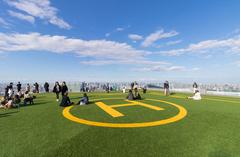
208,46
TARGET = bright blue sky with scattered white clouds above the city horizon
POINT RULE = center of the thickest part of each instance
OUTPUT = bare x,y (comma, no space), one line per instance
120,40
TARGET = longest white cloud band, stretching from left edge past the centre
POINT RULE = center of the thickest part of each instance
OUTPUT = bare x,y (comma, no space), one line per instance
16,42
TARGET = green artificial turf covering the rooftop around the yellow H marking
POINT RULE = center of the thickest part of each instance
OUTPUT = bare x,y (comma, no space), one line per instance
210,129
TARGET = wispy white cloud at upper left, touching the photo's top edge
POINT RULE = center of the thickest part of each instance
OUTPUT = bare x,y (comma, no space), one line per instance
41,9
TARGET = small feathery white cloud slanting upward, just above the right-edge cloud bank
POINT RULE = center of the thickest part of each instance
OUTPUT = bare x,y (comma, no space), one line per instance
160,34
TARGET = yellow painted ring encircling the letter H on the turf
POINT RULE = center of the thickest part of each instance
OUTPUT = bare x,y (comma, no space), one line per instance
181,114
